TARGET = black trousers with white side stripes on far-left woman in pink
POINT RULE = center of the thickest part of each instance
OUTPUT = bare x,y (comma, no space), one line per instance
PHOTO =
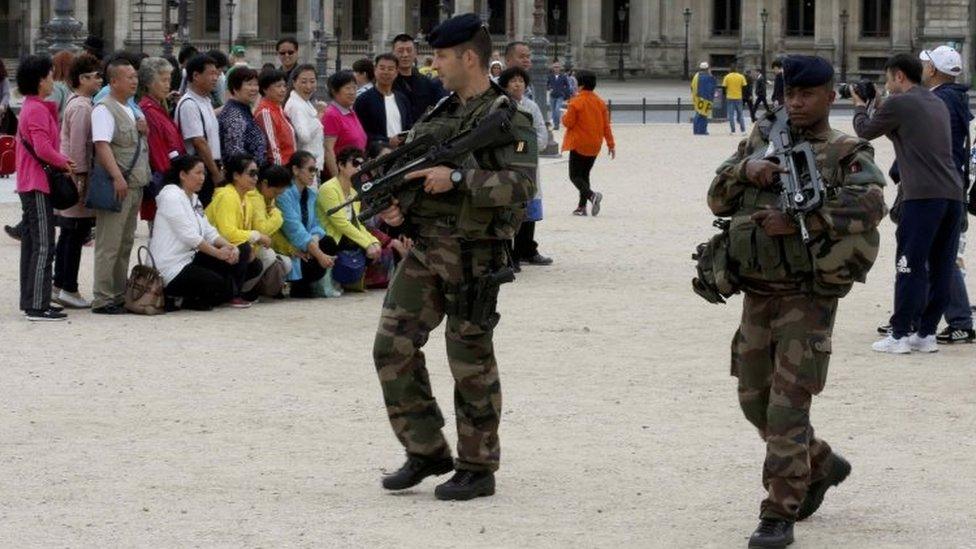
36,251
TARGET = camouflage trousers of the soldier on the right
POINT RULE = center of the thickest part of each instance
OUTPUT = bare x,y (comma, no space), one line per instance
780,354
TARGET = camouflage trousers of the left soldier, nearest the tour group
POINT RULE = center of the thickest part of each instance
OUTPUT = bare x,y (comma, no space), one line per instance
416,303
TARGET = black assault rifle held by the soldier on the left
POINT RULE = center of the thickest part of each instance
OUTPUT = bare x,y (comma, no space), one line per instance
381,181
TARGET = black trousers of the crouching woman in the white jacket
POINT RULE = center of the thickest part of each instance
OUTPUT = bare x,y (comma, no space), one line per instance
207,281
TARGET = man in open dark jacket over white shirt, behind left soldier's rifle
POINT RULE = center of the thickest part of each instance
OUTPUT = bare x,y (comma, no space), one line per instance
384,112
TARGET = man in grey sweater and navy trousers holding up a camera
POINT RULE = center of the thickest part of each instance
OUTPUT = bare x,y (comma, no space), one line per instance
929,207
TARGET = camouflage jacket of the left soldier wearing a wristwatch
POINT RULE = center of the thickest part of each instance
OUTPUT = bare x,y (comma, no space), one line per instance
491,201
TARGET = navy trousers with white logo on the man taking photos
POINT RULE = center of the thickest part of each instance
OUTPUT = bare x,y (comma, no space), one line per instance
928,242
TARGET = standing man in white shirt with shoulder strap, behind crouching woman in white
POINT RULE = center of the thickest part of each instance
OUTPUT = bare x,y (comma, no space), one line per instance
197,121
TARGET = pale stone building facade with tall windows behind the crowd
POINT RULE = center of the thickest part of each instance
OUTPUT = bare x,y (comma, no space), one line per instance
648,36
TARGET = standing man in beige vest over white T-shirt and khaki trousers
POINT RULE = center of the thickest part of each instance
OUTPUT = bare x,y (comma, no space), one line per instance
124,153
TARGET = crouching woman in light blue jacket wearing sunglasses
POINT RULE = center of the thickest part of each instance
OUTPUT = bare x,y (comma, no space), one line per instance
301,236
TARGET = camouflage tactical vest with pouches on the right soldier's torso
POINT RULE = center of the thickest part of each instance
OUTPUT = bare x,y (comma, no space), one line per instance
828,265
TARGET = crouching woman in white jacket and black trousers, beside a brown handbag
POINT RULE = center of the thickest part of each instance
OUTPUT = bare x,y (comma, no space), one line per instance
196,263
